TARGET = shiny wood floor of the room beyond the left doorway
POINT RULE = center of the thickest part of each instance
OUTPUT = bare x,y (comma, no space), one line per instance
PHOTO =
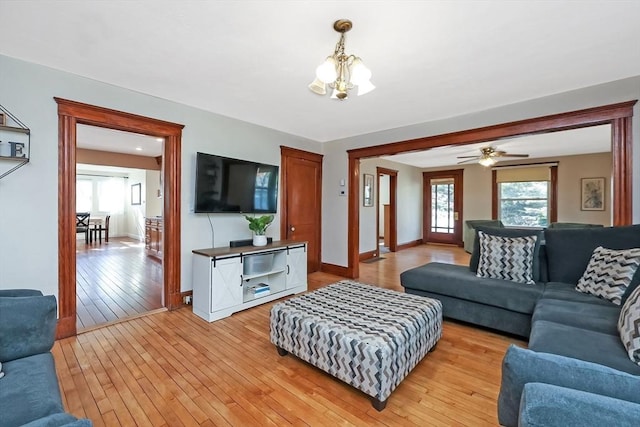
115,281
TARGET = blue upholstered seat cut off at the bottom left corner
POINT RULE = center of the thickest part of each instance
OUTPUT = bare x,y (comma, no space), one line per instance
29,391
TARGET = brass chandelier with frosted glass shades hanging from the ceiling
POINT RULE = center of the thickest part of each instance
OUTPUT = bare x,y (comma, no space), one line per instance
341,71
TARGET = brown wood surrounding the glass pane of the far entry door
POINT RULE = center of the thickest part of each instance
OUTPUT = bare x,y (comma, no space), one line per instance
457,175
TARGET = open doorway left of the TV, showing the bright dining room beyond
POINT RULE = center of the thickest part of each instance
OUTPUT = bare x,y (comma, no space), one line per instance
118,183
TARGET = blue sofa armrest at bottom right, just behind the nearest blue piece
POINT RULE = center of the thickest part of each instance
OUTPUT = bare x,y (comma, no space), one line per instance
521,366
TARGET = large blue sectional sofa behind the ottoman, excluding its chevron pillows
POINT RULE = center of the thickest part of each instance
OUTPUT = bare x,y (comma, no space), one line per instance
575,354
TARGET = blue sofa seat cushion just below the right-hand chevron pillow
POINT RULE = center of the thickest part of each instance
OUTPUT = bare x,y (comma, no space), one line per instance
594,317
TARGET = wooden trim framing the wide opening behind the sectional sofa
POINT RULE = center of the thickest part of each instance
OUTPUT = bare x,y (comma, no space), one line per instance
617,115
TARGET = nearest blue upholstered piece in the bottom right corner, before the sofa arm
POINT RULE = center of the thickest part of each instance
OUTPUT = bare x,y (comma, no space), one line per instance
553,406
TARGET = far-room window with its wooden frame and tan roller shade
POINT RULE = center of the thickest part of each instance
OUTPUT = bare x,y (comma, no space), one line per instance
525,195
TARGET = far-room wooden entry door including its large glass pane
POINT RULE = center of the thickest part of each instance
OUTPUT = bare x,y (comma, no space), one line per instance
443,207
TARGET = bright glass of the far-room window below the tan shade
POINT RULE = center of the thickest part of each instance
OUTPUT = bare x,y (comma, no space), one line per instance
524,204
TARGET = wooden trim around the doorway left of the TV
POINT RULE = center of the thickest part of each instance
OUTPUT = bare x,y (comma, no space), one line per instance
71,113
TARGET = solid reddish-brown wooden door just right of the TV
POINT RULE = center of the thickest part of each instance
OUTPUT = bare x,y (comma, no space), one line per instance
302,196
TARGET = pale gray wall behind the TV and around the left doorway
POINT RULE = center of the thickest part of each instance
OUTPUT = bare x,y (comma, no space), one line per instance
29,196
